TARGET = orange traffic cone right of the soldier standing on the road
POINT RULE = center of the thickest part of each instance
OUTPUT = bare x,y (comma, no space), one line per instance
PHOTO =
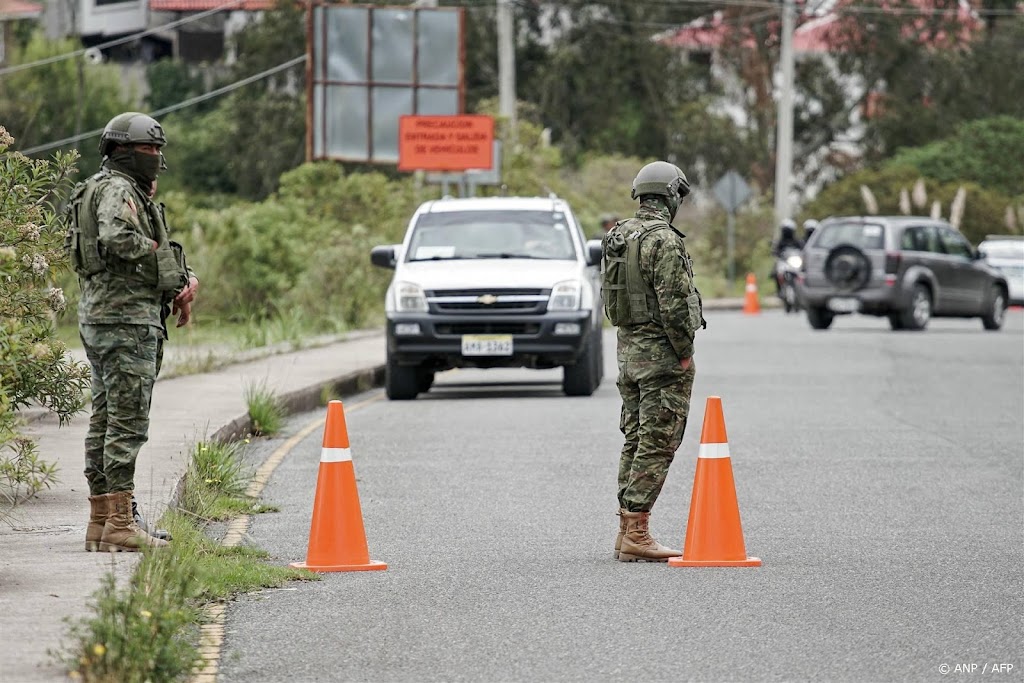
714,535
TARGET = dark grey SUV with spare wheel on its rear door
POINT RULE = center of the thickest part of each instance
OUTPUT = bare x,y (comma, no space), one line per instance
907,269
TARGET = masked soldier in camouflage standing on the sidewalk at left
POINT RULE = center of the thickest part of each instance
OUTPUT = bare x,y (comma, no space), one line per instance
132,277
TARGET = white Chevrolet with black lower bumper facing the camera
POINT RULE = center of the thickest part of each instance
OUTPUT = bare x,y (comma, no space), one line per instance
502,282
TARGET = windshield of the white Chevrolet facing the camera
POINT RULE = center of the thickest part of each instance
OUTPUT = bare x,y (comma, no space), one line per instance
496,234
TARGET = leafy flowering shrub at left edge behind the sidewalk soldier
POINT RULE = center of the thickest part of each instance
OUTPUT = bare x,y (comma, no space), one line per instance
34,367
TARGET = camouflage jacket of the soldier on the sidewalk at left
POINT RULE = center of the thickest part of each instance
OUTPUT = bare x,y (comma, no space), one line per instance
129,224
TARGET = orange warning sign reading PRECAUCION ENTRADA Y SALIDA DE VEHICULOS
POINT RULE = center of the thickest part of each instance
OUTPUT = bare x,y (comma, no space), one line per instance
446,143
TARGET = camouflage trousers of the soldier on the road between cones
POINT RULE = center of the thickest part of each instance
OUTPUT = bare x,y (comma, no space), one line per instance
656,406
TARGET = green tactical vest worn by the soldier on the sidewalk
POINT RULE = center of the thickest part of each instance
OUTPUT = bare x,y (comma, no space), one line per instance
161,270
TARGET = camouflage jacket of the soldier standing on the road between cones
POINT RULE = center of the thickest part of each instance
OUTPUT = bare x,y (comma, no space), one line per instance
667,269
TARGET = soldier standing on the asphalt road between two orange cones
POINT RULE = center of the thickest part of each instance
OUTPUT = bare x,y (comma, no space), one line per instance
650,295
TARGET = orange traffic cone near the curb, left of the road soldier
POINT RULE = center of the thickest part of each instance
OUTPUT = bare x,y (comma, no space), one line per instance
337,540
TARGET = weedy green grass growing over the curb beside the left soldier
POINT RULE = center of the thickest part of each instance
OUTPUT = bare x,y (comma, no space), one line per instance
149,629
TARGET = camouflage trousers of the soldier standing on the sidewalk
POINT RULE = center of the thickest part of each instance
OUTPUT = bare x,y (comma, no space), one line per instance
125,361
